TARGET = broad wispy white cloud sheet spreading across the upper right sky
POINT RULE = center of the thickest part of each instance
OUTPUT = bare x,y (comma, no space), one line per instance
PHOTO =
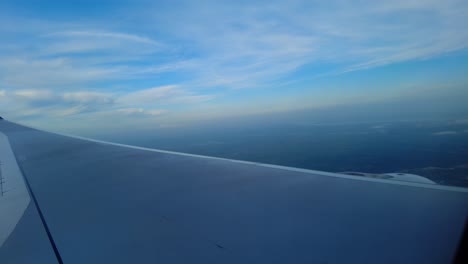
265,41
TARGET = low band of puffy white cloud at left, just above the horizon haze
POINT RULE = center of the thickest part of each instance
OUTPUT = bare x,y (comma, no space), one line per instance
31,103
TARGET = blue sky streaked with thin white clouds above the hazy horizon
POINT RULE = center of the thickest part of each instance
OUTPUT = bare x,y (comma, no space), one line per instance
79,65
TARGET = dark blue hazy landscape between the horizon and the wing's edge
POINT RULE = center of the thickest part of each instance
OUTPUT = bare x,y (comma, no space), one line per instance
435,148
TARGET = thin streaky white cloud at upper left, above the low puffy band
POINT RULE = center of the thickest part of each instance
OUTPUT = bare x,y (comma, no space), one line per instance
52,60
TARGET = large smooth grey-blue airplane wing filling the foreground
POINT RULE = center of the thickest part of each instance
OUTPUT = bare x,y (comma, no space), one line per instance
70,200
